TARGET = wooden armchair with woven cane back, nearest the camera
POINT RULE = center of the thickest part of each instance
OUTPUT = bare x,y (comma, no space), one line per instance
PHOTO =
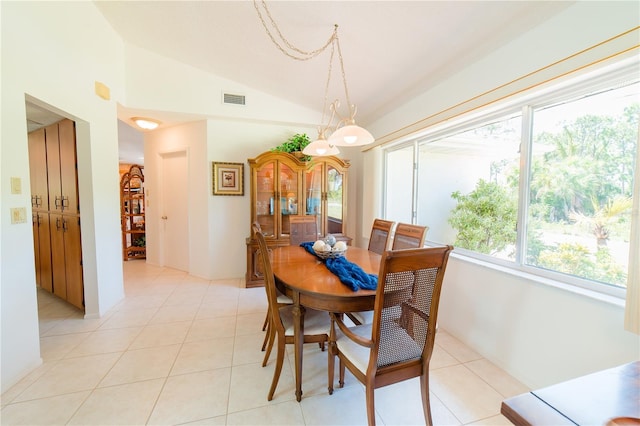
398,344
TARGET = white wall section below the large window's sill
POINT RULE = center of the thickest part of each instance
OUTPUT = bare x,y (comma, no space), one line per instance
539,333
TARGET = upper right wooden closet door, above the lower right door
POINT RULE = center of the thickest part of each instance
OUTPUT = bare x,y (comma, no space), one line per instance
68,166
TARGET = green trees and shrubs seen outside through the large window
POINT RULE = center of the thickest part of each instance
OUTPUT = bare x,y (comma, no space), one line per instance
581,186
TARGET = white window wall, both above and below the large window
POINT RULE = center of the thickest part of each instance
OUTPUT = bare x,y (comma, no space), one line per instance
539,334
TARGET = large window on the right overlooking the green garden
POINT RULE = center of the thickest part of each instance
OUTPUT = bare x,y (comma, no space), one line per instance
545,186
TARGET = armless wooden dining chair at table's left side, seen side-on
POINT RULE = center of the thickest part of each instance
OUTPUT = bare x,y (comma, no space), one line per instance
316,323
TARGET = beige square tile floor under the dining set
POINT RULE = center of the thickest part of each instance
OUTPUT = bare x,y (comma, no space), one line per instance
183,350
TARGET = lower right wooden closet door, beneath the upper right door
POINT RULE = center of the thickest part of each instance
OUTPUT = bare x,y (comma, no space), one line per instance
73,260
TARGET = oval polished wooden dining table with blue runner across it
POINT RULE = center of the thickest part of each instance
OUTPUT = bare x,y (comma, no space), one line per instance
307,281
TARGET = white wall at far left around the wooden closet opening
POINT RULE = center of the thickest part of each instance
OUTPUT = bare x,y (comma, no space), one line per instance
55,52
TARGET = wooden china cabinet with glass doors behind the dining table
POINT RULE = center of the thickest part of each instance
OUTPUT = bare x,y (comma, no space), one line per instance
282,185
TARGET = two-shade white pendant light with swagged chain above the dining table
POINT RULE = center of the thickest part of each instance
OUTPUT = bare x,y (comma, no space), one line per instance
346,132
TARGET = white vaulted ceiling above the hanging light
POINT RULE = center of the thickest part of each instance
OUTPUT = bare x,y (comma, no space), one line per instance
391,49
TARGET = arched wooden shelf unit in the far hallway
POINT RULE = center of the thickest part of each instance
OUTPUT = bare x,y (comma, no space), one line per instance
132,209
